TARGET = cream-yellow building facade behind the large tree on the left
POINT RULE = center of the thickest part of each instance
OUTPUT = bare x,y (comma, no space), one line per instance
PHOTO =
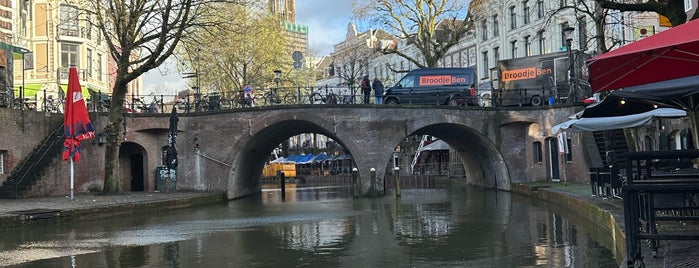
51,36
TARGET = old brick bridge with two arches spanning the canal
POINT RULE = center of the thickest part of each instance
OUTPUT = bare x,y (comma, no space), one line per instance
226,151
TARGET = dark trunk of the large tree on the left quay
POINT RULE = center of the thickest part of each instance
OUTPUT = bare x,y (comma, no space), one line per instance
113,133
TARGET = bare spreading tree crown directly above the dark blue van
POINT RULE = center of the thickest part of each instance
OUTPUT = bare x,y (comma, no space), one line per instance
432,27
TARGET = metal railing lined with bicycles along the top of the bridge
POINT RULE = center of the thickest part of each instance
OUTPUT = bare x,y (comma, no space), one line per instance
239,99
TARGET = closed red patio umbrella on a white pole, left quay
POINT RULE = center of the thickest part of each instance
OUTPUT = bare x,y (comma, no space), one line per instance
76,123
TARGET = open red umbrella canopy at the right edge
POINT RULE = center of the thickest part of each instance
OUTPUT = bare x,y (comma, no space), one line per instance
670,54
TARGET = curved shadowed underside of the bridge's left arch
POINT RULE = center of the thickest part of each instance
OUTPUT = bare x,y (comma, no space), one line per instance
247,171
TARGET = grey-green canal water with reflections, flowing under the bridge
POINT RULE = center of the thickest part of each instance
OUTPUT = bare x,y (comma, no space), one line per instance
324,227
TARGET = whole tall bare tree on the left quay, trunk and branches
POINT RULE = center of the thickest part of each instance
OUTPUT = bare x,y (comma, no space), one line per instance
141,35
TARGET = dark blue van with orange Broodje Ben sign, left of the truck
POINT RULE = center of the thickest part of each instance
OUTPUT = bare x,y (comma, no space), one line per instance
440,86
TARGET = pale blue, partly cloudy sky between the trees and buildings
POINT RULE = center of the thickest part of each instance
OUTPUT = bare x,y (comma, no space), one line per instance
327,22
